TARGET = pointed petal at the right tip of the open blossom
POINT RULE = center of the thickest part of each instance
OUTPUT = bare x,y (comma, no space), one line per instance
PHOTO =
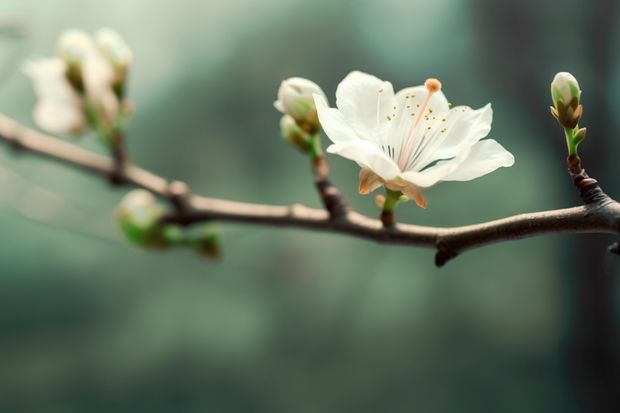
484,157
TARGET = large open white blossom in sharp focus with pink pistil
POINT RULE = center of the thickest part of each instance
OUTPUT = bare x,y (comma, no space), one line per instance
409,140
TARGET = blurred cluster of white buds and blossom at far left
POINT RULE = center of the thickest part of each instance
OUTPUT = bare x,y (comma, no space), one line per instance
84,85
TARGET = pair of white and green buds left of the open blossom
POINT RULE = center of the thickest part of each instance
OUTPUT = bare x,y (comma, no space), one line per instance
300,123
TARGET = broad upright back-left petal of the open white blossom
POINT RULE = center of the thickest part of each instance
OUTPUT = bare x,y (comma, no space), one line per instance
367,103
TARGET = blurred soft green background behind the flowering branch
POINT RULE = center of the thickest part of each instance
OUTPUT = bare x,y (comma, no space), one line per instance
291,320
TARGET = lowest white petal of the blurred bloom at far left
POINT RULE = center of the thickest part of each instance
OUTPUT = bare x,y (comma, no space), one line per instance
58,118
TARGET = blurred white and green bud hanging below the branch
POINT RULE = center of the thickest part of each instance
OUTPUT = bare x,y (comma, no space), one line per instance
138,216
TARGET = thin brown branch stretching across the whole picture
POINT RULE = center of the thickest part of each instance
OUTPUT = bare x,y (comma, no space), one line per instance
596,217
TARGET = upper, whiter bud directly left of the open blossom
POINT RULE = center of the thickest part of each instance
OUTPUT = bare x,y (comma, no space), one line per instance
295,99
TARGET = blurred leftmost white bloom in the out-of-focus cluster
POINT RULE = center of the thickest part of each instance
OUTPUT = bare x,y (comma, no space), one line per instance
59,108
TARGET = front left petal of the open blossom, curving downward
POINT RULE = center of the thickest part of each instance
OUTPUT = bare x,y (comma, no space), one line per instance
367,155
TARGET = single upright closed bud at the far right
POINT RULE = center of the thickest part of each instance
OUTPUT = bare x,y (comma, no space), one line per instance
565,94
